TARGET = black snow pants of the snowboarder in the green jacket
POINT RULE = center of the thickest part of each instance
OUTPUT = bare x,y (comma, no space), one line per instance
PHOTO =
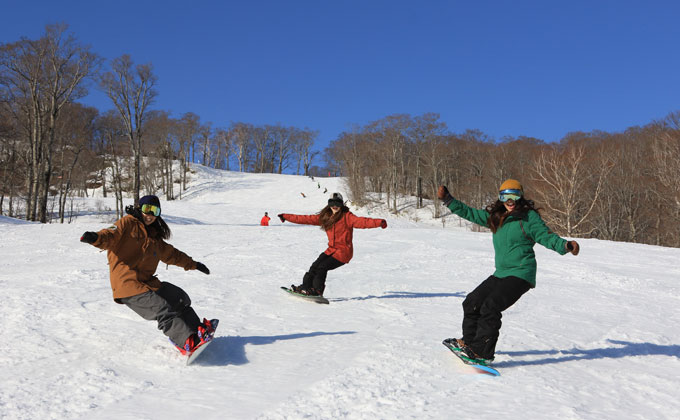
482,312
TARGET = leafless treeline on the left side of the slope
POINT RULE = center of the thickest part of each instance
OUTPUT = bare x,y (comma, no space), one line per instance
52,147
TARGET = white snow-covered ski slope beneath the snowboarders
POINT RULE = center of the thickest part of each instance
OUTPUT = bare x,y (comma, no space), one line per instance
598,338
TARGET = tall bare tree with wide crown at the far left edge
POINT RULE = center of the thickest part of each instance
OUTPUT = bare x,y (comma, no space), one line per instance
43,76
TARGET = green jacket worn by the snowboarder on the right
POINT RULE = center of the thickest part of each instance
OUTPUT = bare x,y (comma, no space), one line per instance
514,242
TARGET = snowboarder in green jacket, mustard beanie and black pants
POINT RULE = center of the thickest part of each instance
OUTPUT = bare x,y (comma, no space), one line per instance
516,227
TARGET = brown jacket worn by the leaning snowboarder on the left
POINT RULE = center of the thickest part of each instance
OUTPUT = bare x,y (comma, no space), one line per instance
133,257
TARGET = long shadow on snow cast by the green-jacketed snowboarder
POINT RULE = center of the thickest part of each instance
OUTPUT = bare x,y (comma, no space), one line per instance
626,349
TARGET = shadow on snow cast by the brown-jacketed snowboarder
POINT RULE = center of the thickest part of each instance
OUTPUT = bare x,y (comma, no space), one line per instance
231,350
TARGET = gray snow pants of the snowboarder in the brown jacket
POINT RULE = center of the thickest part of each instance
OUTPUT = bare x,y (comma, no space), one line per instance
171,307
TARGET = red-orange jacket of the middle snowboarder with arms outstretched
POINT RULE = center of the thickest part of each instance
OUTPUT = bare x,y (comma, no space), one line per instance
340,234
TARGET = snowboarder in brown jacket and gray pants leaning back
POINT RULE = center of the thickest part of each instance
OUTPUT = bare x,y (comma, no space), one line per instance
135,244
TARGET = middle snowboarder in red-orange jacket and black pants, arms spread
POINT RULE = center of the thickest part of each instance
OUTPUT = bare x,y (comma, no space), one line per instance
338,222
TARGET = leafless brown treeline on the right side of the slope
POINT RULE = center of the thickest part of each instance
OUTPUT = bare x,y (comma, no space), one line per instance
615,186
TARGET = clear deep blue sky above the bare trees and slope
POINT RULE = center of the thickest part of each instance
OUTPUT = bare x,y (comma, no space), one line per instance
508,68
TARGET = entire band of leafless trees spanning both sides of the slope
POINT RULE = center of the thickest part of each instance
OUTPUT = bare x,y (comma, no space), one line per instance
616,186
